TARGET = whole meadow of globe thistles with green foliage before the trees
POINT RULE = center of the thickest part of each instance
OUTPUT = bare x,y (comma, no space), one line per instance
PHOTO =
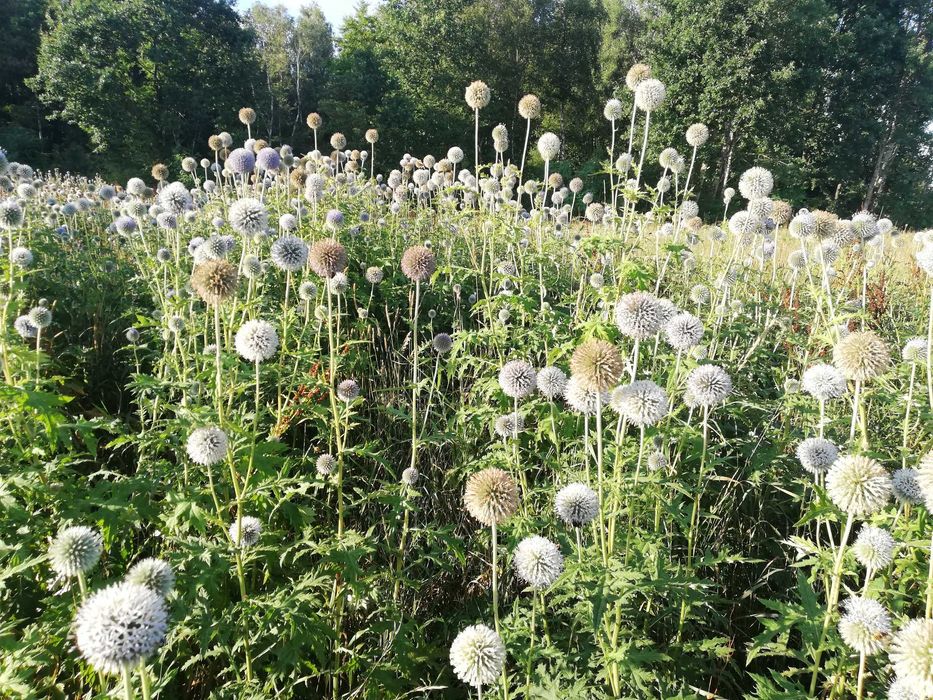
280,425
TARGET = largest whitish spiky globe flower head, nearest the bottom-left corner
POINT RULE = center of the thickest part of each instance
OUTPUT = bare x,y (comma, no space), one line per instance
120,626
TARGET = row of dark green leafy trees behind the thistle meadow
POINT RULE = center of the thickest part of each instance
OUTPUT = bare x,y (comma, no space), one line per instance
835,96
